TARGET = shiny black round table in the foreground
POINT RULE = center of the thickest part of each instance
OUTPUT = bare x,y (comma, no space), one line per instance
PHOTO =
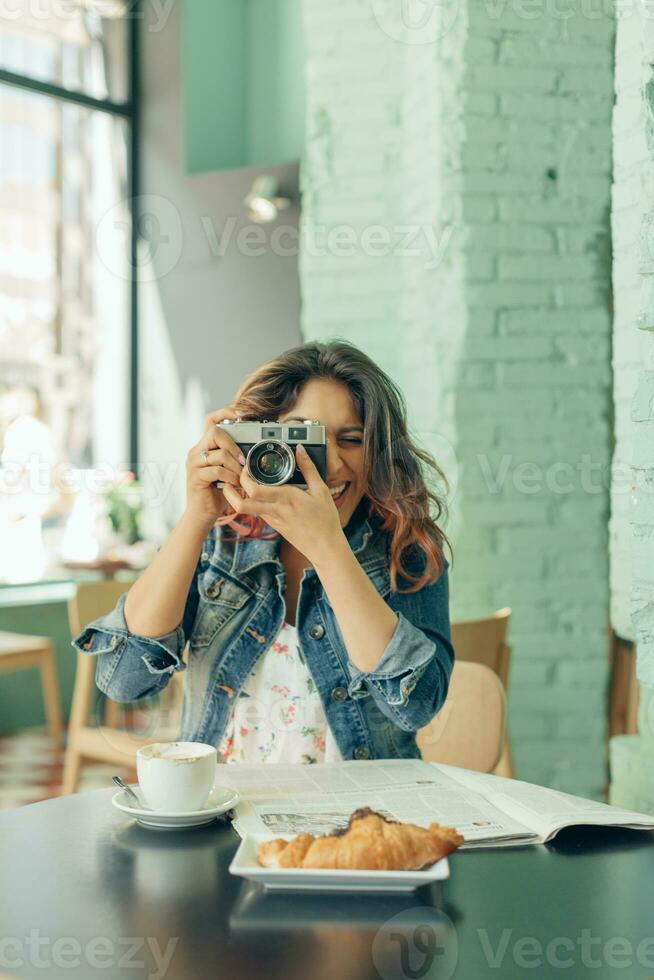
85,892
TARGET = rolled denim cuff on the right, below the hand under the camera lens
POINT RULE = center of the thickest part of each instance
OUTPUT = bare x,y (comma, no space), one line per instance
401,665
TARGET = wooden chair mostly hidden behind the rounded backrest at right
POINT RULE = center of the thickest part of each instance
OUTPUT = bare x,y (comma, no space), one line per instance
483,641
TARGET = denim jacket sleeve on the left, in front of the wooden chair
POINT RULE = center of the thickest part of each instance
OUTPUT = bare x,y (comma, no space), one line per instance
130,667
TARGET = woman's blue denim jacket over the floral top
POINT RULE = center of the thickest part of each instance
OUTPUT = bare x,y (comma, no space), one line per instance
234,610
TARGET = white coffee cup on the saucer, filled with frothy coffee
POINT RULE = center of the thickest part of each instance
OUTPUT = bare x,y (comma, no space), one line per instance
176,776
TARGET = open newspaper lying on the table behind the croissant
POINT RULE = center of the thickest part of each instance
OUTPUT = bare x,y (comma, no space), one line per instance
489,811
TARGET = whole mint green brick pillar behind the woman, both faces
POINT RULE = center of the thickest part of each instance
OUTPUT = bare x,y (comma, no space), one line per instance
496,134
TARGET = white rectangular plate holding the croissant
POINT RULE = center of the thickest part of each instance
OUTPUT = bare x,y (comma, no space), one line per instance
245,865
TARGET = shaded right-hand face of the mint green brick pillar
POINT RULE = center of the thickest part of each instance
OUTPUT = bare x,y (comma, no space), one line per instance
535,369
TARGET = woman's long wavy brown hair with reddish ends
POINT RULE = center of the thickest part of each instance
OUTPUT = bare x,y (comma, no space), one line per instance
395,485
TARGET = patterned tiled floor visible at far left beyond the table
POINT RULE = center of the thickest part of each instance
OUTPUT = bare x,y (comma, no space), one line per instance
31,769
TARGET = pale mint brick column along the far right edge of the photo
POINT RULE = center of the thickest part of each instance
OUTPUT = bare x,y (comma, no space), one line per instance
632,757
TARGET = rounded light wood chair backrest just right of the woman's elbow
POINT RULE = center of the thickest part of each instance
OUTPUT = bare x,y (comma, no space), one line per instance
469,729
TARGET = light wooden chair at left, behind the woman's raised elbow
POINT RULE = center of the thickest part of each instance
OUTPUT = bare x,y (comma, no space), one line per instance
104,743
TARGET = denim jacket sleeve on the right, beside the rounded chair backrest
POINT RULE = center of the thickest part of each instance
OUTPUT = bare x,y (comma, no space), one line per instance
411,678
